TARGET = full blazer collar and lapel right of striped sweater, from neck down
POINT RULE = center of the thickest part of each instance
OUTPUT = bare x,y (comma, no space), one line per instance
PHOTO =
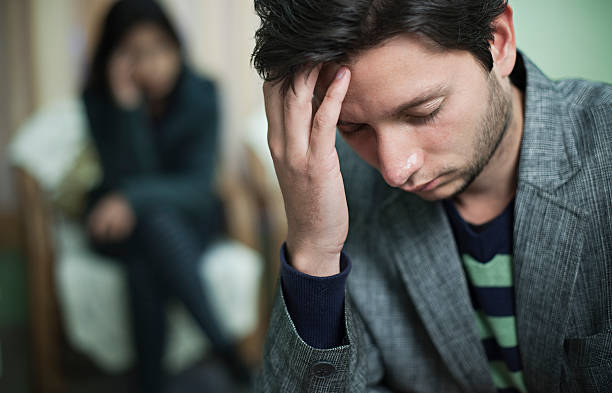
548,233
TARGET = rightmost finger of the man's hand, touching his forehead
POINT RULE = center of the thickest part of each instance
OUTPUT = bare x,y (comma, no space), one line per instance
323,137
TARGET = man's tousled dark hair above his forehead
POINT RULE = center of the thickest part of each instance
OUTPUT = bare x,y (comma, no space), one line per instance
295,33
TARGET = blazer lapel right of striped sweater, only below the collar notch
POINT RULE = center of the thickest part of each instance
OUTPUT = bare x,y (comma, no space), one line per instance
547,250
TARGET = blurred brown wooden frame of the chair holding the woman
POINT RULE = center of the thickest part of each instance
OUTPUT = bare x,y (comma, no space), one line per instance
254,218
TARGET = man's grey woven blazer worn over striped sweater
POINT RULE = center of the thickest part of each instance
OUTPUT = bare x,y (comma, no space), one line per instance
409,321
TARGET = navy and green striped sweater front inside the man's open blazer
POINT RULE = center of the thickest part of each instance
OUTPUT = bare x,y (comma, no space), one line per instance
486,253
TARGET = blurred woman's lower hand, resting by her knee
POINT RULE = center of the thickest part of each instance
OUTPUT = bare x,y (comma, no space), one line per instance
112,219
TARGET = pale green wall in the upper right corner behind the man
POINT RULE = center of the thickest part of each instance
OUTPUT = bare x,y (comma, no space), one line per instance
566,38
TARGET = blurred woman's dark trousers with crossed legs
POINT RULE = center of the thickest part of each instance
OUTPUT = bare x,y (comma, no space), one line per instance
161,257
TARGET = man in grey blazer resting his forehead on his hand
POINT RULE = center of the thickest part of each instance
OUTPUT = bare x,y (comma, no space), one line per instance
475,217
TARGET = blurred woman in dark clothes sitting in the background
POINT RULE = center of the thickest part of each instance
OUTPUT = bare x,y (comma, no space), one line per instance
154,124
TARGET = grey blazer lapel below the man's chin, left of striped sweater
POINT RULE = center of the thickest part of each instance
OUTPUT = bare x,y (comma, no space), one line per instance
422,245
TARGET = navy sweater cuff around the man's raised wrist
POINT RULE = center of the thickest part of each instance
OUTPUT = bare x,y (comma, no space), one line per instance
316,304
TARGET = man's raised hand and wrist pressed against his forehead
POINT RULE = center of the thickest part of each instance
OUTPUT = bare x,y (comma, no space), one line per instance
308,170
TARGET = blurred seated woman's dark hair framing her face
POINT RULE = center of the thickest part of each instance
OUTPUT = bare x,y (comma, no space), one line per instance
121,18
